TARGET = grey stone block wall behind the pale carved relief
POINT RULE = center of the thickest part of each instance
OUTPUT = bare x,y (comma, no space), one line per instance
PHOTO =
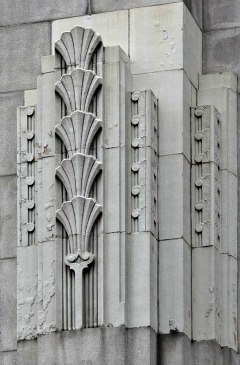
25,36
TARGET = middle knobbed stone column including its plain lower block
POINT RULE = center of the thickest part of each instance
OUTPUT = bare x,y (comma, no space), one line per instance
142,212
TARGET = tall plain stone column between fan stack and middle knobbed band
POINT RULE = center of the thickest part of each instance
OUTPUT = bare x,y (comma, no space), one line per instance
117,99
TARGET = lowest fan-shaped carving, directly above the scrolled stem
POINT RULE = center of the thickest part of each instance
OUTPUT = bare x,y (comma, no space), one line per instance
78,217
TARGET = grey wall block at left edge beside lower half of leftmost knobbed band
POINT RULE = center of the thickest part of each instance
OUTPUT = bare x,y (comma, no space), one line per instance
8,216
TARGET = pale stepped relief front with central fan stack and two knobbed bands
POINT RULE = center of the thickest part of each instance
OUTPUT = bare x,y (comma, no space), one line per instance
62,206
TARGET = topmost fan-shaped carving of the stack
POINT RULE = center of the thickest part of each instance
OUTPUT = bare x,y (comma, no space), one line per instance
78,47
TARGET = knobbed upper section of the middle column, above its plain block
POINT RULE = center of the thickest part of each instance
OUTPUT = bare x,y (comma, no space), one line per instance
144,144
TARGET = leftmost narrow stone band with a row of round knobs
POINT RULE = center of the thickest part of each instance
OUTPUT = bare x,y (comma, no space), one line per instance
26,176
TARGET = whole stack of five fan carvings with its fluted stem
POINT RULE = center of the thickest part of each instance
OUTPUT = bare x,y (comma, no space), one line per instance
80,174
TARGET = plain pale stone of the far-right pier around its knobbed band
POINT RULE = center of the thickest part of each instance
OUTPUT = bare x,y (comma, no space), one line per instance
215,313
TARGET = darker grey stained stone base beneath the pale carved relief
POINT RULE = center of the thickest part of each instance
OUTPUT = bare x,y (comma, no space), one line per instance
118,346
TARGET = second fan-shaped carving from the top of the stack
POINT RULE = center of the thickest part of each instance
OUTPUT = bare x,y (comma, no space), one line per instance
77,89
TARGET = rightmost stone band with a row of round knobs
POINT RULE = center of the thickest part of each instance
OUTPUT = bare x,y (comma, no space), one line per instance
206,176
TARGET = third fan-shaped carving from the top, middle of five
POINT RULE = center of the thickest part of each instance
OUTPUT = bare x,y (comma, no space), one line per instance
78,131
